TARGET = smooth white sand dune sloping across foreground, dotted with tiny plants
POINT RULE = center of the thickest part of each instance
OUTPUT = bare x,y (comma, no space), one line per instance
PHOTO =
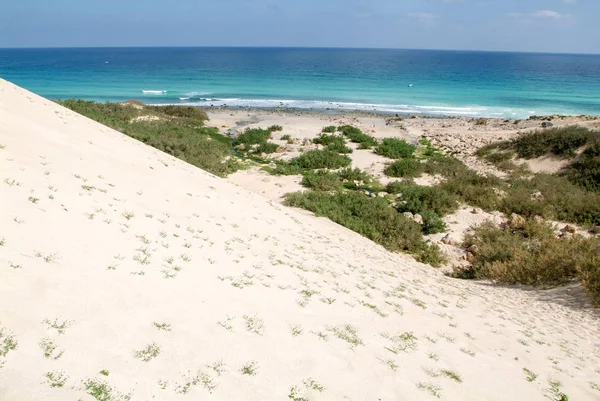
128,274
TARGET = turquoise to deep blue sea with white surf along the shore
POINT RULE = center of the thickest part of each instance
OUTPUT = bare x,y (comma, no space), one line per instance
451,83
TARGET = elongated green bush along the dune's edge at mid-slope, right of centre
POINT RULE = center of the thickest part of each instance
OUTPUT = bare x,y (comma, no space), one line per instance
371,217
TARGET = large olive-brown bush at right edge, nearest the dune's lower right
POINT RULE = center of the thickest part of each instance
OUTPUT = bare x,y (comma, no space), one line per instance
531,254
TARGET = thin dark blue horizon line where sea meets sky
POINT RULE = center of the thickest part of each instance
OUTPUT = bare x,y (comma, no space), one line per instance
289,47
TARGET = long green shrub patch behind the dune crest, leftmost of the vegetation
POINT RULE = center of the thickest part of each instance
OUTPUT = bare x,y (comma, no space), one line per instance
180,132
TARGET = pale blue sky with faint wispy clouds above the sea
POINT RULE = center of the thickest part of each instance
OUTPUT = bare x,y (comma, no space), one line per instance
520,25
